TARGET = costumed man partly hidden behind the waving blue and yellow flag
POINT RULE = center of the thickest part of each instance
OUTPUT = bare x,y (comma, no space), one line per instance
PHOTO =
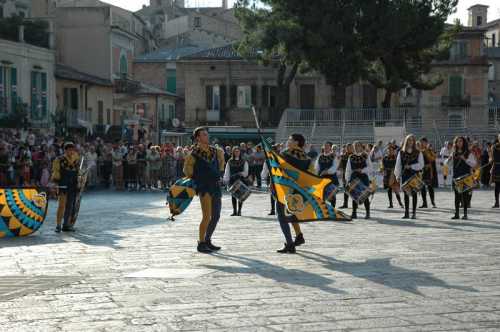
296,156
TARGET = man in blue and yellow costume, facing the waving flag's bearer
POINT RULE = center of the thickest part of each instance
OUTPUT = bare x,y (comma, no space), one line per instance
205,165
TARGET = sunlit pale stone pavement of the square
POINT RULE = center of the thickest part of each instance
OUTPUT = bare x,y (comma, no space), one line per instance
127,269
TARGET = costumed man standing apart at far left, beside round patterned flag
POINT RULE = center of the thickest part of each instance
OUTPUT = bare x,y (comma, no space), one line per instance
65,175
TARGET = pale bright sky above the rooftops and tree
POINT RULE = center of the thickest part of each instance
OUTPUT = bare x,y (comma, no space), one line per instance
493,11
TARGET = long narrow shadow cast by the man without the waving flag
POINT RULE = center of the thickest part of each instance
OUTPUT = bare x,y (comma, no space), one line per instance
274,272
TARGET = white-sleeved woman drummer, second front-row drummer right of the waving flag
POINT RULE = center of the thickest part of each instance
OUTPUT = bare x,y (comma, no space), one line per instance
410,161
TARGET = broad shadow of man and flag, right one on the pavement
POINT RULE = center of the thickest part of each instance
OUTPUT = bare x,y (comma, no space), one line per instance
381,271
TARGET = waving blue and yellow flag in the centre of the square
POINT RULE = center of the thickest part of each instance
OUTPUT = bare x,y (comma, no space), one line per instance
302,193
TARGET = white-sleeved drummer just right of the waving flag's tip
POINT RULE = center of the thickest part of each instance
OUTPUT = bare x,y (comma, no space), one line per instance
359,167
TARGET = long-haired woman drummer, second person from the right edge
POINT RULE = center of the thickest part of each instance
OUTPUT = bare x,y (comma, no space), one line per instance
463,161
